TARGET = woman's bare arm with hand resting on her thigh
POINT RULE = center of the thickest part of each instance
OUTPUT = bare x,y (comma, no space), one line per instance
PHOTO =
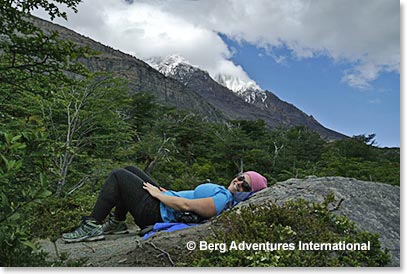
204,207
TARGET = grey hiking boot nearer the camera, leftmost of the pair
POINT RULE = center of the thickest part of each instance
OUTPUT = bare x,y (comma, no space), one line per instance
89,230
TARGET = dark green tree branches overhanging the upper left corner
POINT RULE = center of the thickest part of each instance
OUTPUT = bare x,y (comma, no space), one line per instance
30,59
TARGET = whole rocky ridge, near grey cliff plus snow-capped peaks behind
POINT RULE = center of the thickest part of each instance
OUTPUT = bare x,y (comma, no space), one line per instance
190,88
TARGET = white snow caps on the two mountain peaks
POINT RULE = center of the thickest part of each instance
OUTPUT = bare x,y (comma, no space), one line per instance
176,65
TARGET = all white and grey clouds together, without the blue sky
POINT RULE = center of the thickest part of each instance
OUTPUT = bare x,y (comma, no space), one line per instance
363,34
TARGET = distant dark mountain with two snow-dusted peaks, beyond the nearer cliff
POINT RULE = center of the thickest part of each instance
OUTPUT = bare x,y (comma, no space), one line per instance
245,101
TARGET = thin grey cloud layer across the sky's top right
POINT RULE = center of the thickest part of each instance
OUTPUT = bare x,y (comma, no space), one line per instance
363,33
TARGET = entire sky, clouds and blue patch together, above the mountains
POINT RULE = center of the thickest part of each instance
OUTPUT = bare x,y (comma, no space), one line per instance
338,60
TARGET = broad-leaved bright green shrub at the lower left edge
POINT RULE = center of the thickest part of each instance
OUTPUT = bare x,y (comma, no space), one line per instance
16,194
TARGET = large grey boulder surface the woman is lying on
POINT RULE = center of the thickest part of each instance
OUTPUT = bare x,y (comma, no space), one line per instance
374,207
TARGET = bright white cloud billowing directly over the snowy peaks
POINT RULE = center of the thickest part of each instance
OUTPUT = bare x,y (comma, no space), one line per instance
146,30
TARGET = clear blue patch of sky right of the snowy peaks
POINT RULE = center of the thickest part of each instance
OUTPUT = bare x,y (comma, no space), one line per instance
314,85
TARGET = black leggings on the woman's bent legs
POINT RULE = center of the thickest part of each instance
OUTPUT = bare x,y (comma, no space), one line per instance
123,190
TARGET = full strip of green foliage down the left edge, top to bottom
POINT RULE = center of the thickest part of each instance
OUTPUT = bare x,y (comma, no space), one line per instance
32,64
